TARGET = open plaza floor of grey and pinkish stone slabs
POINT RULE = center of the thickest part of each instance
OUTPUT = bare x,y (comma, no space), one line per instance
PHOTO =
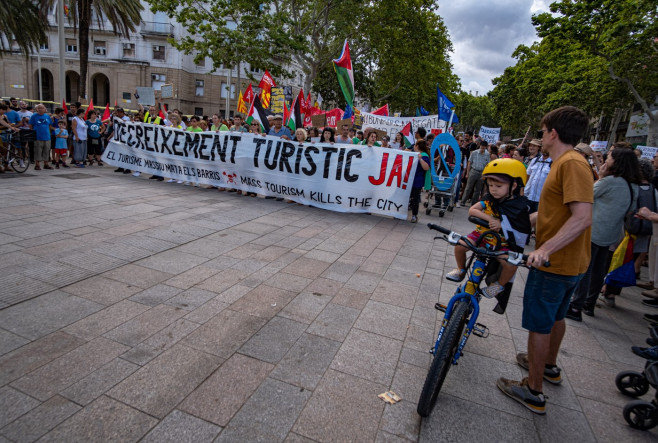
135,310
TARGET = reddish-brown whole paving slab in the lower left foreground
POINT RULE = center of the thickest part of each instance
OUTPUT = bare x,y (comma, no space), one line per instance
220,396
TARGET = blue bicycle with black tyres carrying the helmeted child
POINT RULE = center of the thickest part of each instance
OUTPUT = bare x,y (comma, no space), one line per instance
461,313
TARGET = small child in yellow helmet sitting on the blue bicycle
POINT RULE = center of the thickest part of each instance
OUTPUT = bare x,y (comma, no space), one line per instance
507,213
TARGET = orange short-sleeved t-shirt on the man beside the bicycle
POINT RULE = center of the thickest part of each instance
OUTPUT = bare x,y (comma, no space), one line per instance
570,180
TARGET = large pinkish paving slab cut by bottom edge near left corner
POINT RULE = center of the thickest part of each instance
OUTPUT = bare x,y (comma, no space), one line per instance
103,420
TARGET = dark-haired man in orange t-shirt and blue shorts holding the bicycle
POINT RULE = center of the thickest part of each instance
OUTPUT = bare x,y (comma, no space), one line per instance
563,234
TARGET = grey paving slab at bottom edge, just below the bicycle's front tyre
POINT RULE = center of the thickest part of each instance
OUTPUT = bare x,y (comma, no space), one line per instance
446,423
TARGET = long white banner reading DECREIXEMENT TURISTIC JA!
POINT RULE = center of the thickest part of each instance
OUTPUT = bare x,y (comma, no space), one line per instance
336,177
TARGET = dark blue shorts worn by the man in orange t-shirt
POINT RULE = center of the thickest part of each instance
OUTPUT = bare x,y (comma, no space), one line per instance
546,299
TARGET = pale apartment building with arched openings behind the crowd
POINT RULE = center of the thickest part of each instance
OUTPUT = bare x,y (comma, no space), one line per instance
117,65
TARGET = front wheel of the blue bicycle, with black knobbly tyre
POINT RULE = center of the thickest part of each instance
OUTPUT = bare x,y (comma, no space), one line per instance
443,358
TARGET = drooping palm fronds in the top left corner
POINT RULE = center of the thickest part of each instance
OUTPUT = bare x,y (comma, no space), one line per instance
22,22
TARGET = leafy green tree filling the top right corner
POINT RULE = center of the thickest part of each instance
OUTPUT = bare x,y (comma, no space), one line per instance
622,34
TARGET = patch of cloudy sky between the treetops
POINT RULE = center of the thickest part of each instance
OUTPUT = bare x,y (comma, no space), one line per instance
484,34
